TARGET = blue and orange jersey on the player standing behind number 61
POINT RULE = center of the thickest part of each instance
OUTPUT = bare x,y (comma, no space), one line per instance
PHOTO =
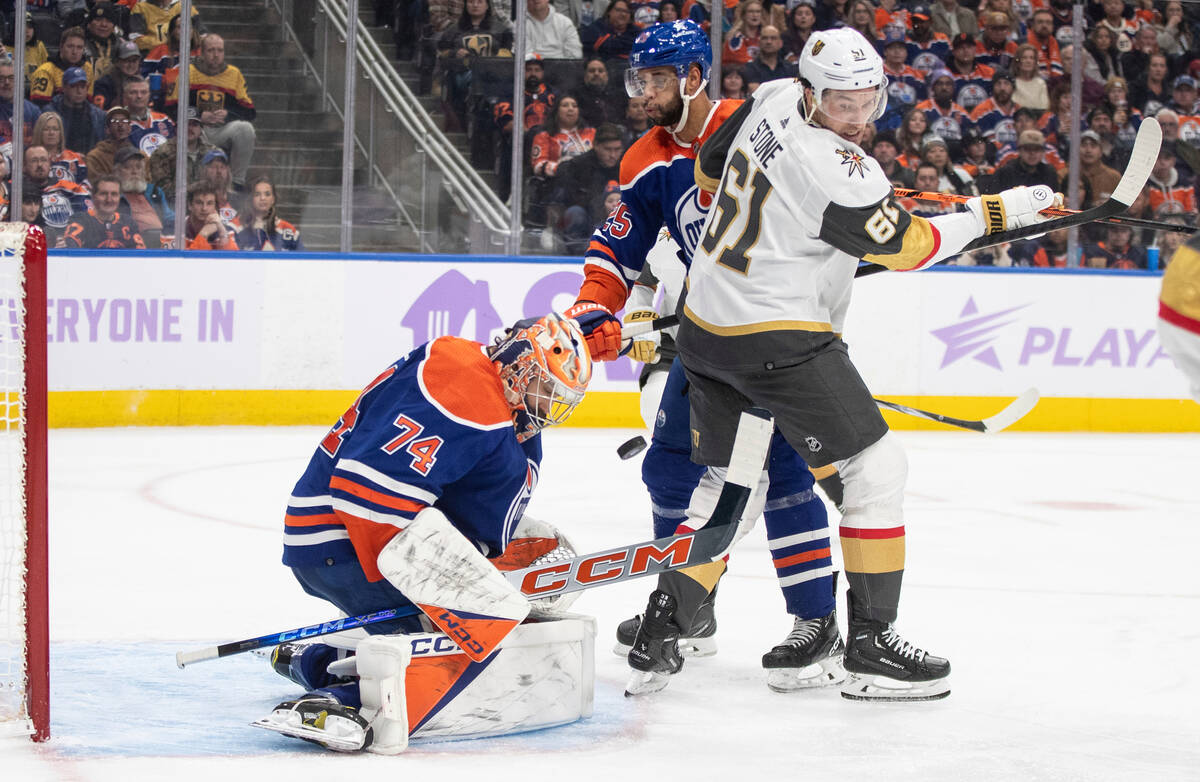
658,188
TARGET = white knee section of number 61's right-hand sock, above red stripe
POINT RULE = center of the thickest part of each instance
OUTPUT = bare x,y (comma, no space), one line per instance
873,483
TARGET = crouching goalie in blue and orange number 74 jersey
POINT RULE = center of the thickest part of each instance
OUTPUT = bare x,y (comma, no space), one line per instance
412,497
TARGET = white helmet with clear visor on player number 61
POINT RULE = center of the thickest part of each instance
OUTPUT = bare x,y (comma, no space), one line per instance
844,61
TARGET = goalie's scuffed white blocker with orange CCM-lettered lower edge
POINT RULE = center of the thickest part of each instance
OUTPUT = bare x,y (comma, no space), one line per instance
446,576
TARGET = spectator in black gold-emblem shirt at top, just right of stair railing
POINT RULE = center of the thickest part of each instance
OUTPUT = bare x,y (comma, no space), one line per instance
478,34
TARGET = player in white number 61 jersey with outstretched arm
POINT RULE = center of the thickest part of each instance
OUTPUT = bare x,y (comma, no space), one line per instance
799,204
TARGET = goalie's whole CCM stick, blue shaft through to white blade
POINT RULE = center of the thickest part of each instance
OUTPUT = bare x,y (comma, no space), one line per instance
705,545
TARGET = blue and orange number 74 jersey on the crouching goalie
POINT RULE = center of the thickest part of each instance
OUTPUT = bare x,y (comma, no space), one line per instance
434,429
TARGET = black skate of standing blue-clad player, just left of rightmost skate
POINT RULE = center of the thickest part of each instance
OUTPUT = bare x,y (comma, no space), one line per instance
811,657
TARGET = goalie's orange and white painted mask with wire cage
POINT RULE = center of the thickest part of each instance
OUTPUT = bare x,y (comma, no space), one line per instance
545,369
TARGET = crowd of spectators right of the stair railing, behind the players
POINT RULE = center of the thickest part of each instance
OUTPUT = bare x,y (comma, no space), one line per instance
979,97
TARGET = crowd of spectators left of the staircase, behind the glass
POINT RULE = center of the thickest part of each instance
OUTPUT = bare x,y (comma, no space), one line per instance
100,137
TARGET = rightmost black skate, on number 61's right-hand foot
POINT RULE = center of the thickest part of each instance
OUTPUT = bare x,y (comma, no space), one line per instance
883,666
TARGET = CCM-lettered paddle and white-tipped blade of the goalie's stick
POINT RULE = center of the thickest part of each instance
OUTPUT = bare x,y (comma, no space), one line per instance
707,544
